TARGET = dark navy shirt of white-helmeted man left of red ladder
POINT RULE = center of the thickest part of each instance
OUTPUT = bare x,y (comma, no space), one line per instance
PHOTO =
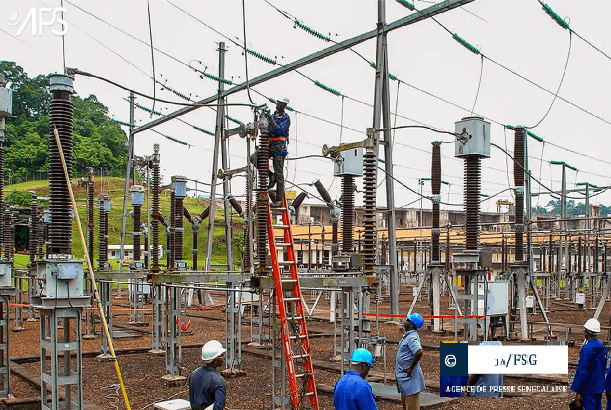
206,386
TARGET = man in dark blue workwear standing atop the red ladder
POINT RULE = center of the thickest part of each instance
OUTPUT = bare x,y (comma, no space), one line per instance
278,131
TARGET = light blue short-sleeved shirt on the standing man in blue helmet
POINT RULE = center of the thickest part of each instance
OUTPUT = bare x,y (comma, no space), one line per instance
408,346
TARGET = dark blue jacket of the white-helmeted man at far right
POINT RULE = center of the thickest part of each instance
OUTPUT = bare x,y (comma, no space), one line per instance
590,374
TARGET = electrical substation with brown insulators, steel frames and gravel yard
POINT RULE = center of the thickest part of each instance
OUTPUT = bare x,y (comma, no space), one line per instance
301,285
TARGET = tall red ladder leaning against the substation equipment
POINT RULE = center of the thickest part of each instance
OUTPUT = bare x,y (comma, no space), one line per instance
288,294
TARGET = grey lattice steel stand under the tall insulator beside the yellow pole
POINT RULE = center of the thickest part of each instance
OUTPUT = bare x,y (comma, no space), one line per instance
61,374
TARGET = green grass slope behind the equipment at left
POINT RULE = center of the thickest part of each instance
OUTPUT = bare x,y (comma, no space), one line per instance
114,187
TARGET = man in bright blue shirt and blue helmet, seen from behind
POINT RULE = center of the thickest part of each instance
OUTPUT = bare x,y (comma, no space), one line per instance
351,391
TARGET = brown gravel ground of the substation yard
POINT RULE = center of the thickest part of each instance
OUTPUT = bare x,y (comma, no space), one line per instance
142,372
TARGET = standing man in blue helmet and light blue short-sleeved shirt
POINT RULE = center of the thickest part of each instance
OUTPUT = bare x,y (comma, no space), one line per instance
408,373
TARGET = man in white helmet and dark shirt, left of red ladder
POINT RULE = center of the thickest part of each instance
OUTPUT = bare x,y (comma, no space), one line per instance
207,389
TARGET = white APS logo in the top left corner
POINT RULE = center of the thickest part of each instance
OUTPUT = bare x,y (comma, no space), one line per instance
39,18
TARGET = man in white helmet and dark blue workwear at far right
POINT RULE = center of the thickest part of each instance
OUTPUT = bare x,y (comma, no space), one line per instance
589,381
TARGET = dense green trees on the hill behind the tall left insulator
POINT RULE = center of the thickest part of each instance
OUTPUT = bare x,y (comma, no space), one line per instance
97,141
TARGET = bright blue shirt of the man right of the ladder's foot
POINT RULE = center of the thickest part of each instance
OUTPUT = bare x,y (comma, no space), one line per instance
352,392
